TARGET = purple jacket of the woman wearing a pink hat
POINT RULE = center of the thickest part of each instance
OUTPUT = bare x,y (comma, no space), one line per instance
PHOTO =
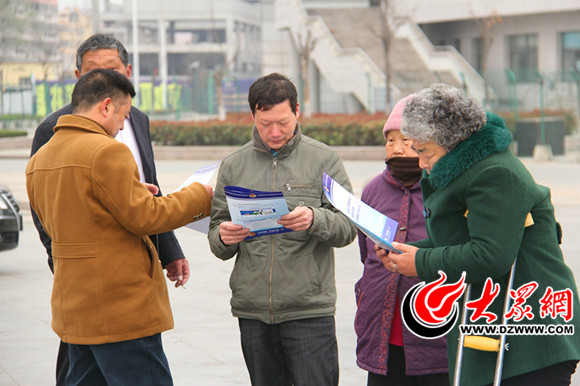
376,290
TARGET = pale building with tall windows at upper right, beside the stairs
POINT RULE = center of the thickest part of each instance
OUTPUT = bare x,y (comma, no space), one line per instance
534,44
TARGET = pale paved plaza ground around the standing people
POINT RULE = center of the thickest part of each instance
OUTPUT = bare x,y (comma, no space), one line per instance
204,347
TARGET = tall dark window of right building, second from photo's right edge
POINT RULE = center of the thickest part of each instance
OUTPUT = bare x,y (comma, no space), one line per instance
523,56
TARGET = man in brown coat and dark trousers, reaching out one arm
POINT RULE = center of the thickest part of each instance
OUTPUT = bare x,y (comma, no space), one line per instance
109,298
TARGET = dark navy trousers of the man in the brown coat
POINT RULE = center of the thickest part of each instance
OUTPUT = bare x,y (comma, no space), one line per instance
134,362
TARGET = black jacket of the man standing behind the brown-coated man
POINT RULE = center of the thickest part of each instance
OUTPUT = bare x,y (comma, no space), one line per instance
166,243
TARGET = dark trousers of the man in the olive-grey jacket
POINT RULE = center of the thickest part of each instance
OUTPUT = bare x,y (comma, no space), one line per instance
300,352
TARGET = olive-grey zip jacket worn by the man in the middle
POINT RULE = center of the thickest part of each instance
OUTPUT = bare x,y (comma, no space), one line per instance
286,276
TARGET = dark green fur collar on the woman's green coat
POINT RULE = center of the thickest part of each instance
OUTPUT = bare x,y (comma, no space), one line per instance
492,138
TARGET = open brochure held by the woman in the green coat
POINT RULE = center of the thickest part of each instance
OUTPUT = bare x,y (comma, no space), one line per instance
378,227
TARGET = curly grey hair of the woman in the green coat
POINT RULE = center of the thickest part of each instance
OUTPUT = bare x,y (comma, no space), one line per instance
443,115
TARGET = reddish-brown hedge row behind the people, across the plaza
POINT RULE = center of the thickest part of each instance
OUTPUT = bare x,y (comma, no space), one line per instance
332,129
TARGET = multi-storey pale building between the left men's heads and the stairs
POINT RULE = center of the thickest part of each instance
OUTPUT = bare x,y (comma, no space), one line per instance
188,47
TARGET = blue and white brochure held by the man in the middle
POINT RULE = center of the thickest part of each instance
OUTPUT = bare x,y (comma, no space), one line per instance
257,210
